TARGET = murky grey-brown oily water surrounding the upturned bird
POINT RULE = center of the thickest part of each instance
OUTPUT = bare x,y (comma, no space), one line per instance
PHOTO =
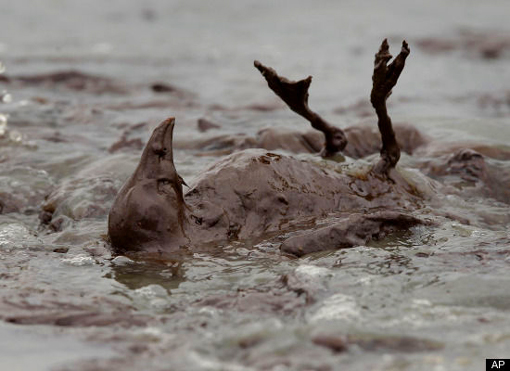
431,298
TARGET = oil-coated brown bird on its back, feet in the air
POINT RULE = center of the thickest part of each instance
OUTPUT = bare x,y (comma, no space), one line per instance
253,193
